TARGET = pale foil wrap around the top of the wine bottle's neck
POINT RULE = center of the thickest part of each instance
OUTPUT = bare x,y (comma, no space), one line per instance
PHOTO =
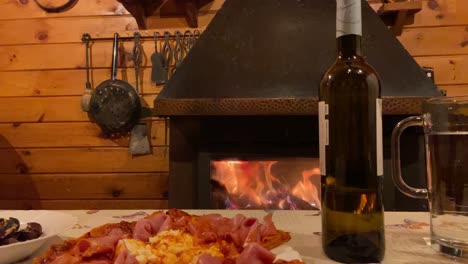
348,17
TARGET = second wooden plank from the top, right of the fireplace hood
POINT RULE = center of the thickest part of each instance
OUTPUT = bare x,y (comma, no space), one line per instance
436,40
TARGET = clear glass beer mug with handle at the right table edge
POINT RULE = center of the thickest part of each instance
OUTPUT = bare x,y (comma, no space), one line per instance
445,123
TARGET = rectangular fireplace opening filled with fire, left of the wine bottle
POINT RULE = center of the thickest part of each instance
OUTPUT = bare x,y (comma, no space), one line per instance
280,183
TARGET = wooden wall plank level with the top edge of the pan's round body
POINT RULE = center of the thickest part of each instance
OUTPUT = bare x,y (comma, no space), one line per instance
67,82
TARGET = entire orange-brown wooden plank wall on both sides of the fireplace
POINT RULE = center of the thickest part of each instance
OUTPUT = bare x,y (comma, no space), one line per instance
52,157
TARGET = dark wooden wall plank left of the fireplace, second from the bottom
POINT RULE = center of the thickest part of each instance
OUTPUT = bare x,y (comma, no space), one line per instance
77,186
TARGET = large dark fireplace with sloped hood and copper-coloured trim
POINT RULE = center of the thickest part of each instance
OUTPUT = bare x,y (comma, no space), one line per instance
246,95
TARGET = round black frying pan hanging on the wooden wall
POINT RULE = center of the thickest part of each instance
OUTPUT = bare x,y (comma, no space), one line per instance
115,105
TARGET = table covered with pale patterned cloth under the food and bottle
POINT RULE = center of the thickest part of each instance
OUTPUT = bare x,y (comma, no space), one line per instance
406,232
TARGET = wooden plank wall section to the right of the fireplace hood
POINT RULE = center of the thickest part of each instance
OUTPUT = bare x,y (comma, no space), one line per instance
439,39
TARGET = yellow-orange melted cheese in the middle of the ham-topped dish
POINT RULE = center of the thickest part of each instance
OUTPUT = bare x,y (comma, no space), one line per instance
172,246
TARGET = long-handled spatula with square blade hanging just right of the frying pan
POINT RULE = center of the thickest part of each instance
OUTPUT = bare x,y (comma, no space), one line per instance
139,142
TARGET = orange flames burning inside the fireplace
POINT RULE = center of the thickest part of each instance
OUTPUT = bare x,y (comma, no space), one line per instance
254,183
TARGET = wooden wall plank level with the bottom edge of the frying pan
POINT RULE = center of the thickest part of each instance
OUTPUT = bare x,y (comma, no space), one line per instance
82,134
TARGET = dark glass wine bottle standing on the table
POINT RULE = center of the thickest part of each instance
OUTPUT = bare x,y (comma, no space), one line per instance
350,131
